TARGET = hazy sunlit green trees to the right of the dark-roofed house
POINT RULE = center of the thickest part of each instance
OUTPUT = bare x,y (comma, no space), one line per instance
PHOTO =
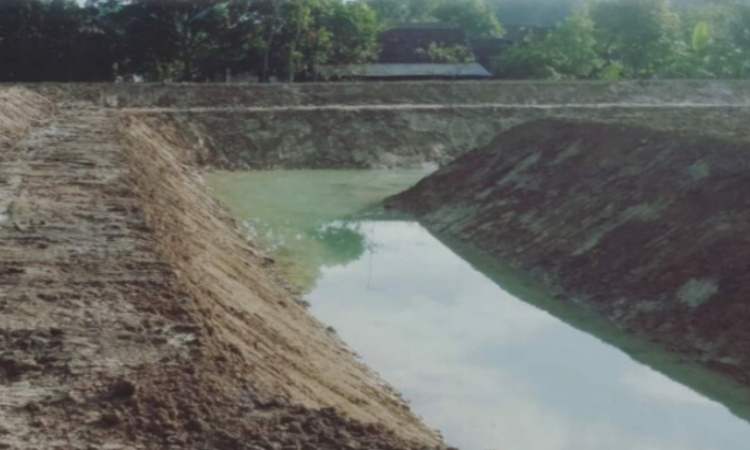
638,39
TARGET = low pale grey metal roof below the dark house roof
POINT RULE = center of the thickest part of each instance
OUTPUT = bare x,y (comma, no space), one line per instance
406,70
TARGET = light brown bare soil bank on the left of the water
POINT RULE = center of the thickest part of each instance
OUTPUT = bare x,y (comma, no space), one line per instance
133,314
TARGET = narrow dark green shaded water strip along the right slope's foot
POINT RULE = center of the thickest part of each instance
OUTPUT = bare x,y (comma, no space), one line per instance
731,394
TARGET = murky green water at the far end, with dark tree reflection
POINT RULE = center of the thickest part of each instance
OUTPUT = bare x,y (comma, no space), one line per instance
301,217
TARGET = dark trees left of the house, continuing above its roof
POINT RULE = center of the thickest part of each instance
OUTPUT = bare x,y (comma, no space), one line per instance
199,40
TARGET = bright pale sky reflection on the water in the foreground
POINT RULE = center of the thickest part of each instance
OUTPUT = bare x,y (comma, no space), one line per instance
493,372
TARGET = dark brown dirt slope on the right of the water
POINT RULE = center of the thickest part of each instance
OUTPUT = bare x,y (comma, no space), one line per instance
651,228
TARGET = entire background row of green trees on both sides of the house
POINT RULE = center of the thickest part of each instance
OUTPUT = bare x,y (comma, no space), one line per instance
200,40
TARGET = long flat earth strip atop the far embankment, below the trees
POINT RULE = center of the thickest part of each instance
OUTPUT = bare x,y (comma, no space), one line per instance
413,93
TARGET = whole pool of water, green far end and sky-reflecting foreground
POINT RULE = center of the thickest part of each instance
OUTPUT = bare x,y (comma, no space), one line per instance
487,369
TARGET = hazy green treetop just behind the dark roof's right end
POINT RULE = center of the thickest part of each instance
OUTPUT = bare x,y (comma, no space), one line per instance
472,16
